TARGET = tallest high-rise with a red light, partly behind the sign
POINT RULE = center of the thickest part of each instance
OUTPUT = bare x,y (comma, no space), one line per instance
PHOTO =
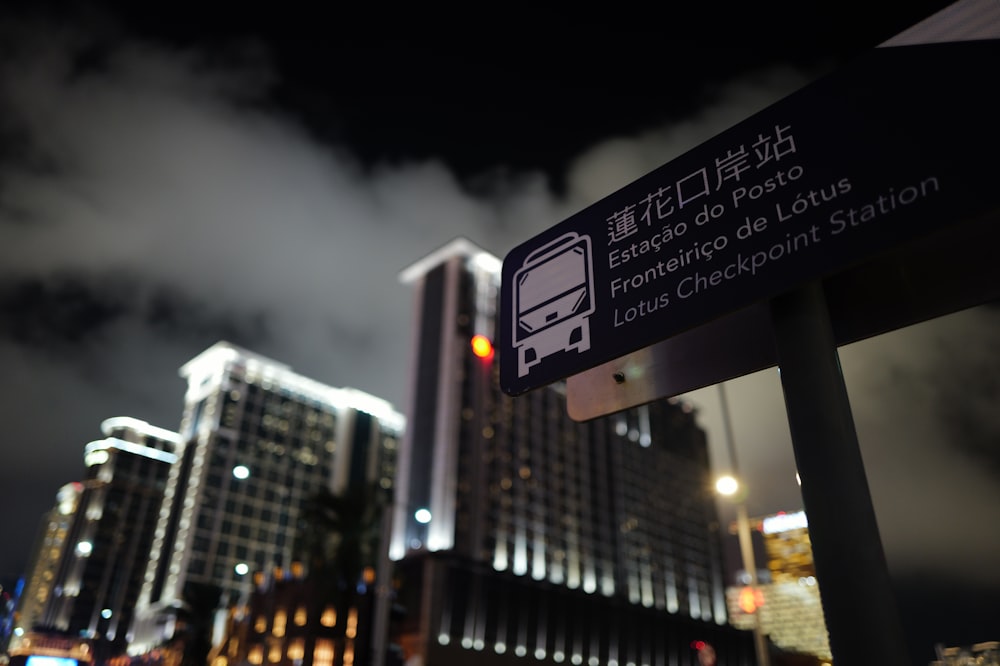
518,532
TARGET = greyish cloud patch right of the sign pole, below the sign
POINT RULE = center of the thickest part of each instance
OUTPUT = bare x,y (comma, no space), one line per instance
924,403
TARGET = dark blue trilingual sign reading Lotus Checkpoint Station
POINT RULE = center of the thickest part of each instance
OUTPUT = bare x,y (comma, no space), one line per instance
900,144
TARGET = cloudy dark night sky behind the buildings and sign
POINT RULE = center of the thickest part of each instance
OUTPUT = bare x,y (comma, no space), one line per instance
172,175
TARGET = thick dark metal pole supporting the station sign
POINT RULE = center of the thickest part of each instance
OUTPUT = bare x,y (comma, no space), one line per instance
858,601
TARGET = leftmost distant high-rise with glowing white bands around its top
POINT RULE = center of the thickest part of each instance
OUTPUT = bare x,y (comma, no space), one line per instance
88,563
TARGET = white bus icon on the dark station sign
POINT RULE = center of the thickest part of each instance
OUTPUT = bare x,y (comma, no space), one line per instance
553,300
